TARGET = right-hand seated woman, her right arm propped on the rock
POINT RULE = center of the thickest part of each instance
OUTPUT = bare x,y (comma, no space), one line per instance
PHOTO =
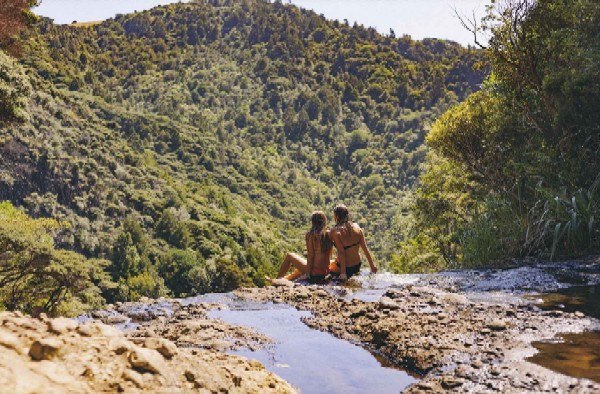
348,239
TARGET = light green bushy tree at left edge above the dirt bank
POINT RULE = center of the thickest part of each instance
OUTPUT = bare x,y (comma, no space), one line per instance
35,277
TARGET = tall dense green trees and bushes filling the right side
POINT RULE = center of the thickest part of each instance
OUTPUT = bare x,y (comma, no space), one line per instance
515,169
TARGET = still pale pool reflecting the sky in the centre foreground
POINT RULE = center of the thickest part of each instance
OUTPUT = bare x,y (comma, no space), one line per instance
311,360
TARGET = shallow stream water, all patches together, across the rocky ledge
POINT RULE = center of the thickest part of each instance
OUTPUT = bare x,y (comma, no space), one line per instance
317,362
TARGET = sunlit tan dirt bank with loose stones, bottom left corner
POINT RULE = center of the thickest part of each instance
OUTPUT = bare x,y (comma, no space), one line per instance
63,356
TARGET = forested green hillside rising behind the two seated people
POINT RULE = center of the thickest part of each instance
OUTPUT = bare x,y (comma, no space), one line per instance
188,144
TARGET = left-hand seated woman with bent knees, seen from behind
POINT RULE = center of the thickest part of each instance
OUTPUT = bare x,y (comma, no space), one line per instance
319,249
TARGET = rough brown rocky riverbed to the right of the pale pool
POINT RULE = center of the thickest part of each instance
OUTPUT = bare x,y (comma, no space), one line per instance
454,343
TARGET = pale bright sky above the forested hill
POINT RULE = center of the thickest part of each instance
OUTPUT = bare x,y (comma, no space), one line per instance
417,18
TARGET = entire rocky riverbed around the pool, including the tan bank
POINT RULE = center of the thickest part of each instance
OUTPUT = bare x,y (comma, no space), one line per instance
459,332
